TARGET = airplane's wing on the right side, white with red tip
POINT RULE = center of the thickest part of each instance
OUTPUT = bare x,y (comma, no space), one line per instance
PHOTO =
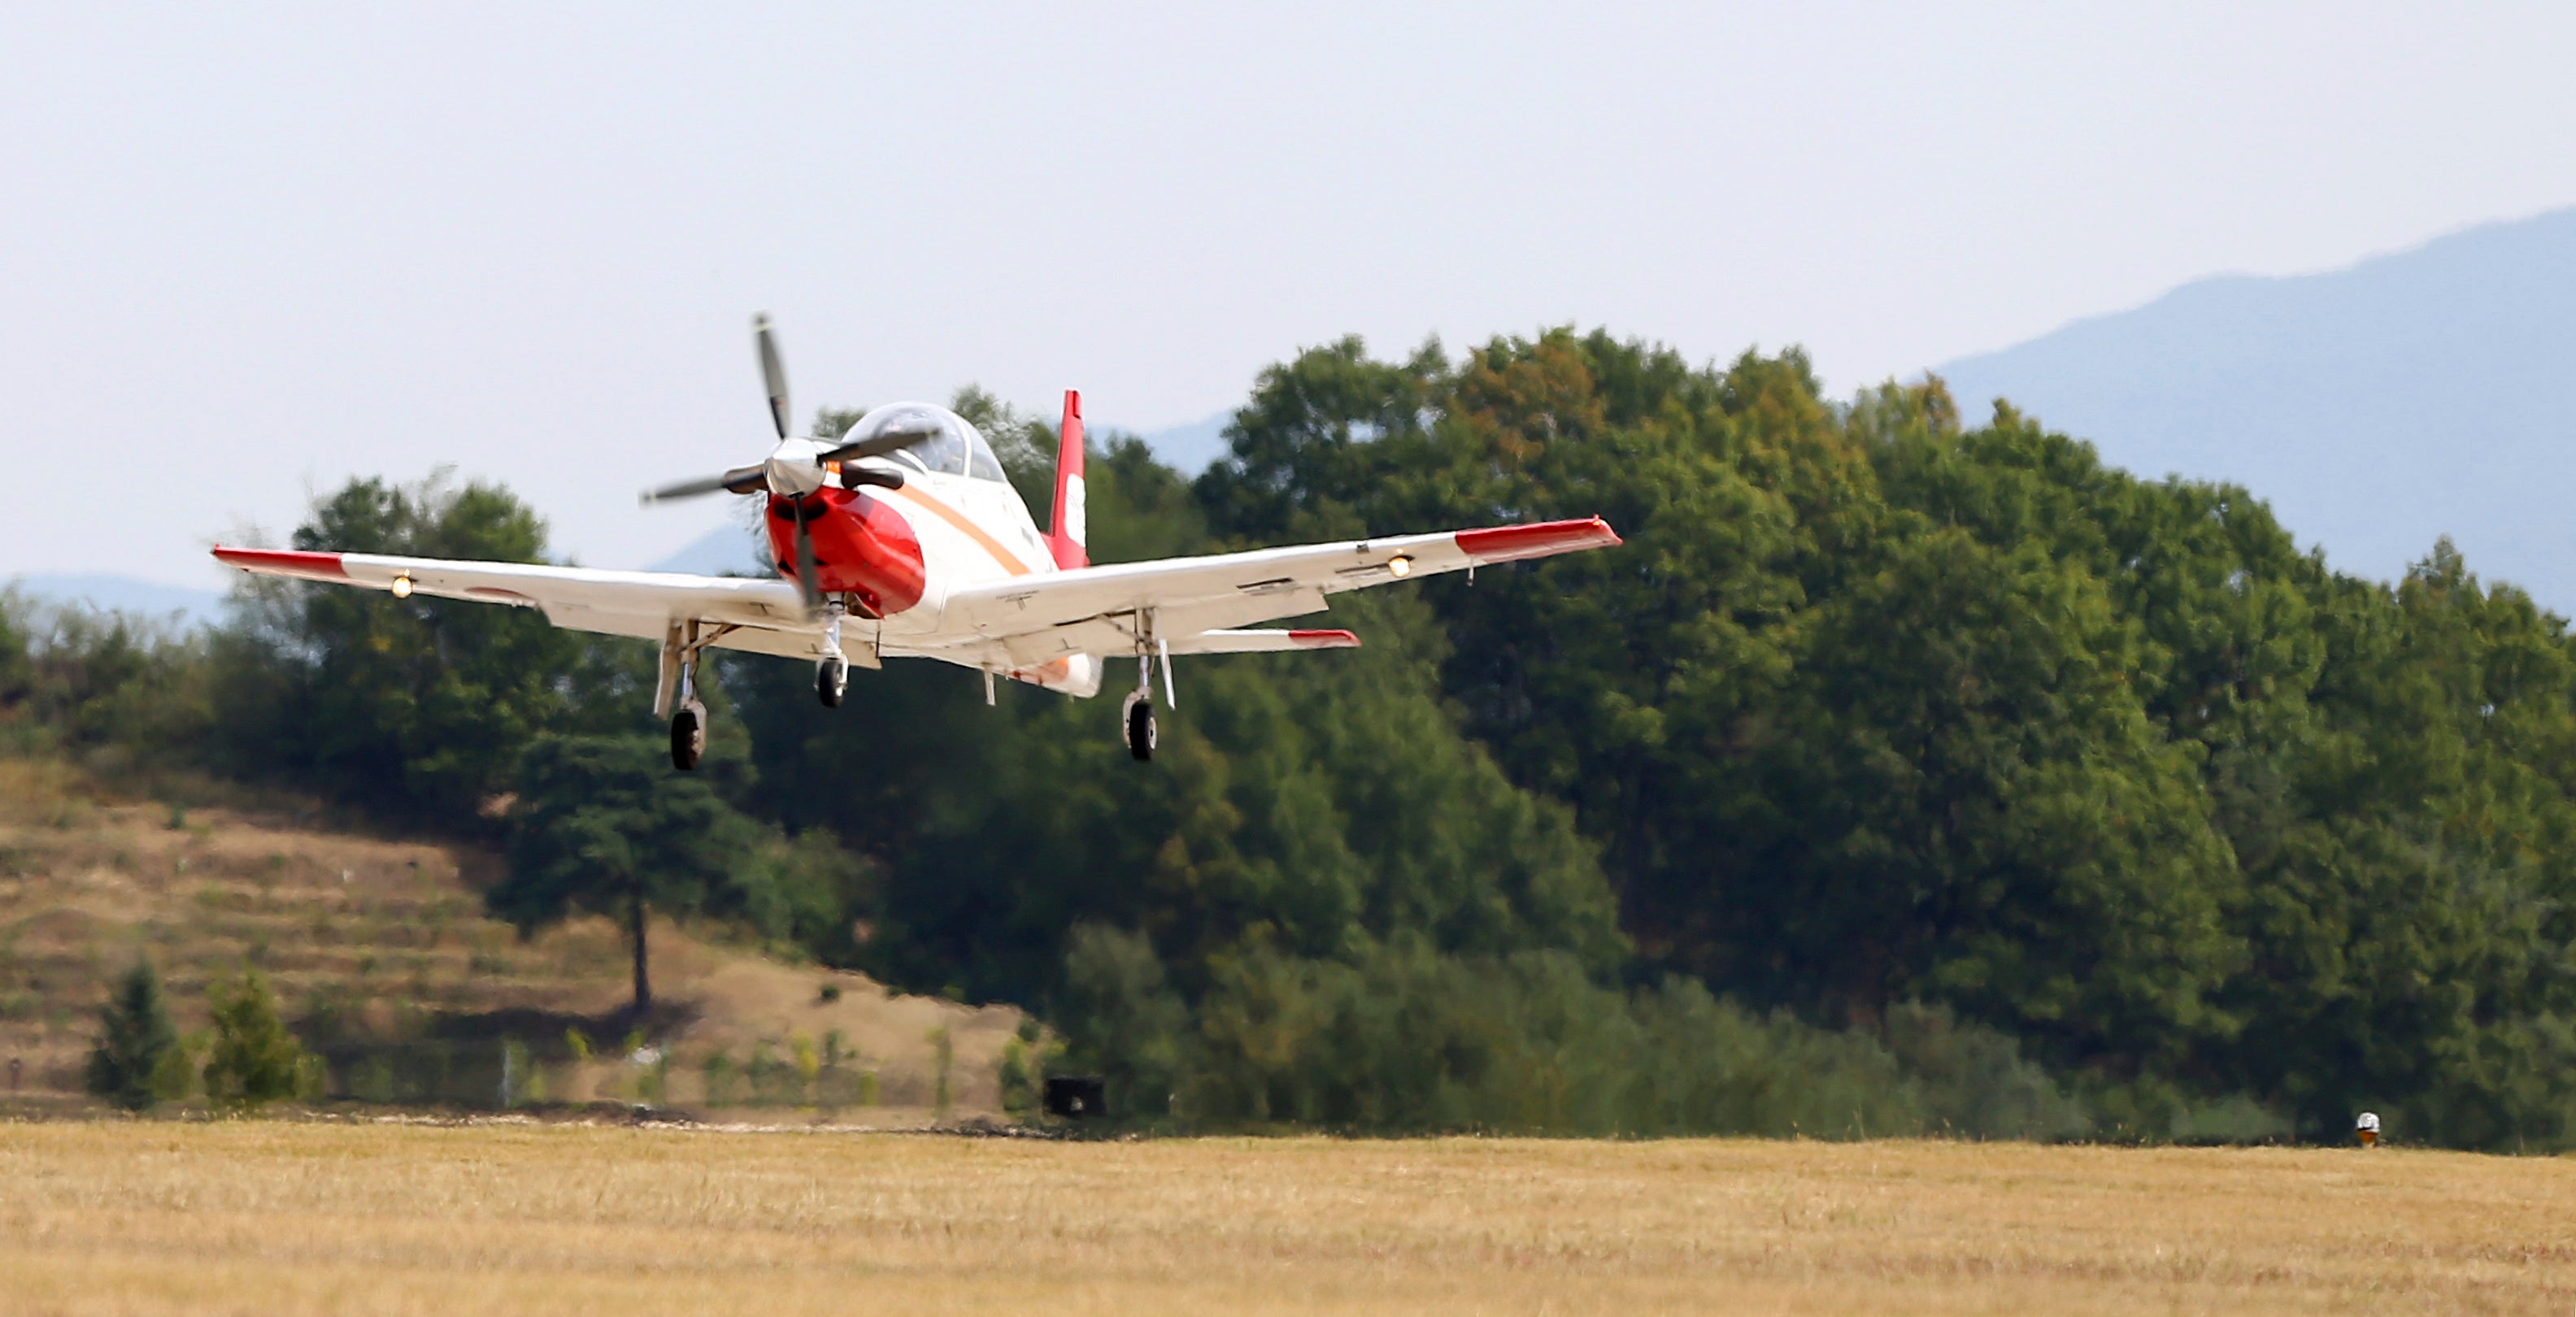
1101,610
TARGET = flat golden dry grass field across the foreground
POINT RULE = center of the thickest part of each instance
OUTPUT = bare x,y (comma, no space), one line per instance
408,1220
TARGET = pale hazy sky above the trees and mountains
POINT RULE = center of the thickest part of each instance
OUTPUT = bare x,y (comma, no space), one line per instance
249,251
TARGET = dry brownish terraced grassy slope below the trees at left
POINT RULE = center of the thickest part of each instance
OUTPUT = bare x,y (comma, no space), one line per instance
385,960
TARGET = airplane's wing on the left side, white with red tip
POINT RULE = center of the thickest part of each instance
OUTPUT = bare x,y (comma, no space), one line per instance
761,615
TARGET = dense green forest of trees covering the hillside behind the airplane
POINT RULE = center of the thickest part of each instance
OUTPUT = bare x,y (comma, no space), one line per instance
1895,774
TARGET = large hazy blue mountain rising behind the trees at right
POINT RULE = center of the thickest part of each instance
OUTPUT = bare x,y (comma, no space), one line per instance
2374,409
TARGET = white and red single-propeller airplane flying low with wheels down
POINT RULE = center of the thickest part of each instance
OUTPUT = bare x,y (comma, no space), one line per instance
903,540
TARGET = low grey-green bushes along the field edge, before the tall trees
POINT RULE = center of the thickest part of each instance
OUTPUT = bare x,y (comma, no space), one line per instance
1403,1040
